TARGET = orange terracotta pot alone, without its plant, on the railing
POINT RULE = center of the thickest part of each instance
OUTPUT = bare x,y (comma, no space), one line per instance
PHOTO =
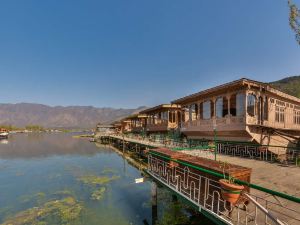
230,192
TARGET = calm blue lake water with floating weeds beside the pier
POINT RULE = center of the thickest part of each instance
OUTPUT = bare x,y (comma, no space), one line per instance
58,179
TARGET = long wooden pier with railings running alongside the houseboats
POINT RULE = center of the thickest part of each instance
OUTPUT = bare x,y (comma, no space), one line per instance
271,196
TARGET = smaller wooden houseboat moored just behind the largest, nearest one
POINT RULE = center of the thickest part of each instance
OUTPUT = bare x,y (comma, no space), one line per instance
163,118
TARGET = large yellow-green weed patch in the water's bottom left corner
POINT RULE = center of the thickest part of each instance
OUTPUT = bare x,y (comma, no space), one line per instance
63,211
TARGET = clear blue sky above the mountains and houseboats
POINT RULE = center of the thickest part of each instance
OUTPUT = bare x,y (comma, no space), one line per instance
128,53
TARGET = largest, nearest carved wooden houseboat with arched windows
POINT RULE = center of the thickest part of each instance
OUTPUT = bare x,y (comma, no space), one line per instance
243,110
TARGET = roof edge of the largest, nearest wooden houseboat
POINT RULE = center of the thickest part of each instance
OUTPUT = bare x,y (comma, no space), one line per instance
231,85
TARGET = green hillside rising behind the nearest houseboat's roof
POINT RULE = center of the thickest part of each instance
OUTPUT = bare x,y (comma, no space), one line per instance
289,85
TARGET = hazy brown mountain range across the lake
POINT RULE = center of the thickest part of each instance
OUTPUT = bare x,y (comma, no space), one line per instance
23,114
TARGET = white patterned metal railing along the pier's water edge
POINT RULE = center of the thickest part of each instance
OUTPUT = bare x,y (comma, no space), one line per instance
206,194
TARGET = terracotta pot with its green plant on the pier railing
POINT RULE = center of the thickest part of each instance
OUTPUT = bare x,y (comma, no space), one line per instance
229,189
